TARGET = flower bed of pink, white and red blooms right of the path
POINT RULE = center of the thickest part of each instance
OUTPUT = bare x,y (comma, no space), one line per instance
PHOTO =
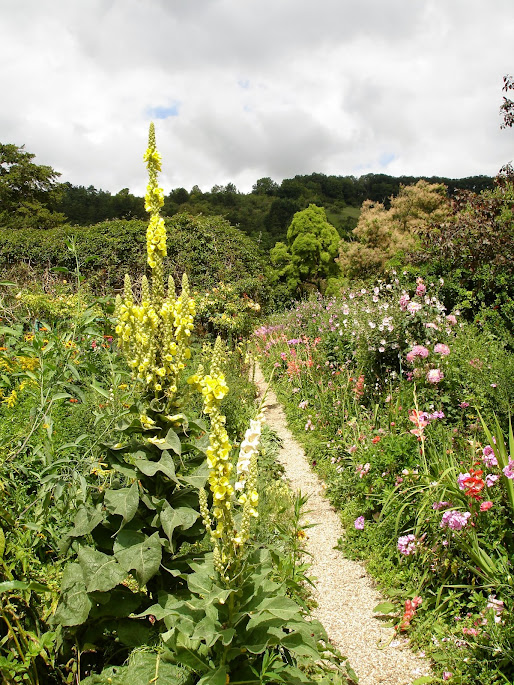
381,385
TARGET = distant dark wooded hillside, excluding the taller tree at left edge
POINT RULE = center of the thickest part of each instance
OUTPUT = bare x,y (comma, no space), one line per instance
263,214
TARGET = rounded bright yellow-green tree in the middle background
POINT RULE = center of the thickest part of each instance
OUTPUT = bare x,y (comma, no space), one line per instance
309,256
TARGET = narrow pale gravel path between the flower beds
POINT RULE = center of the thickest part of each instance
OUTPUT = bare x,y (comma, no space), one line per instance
345,594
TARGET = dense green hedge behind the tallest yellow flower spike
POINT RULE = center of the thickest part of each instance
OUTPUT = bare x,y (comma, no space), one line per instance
208,248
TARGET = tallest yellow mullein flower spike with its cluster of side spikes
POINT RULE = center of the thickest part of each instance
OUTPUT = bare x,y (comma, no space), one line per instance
154,334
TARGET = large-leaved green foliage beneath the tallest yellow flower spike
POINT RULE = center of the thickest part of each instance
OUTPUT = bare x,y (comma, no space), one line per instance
127,539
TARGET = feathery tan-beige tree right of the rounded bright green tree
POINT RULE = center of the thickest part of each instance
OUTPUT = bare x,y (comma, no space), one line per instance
383,233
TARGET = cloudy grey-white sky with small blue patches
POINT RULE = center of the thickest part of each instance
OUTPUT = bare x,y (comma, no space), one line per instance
244,89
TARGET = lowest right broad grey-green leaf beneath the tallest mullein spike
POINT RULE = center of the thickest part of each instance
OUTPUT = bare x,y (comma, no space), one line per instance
141,555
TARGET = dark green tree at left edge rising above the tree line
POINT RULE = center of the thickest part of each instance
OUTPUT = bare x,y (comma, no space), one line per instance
27,190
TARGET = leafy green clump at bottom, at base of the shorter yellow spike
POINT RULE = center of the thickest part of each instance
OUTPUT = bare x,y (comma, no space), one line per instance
250,631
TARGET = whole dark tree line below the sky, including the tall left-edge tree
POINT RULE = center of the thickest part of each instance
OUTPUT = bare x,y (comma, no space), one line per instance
32,197
